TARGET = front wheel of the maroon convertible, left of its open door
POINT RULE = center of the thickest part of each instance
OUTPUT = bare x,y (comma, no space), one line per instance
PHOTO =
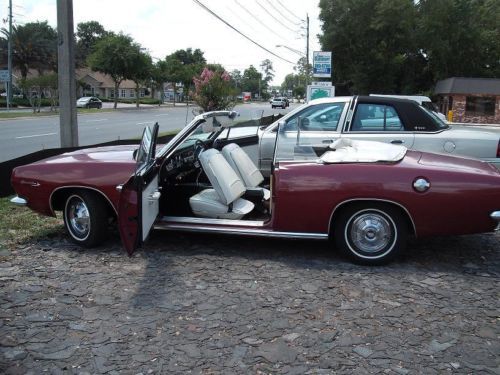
85,218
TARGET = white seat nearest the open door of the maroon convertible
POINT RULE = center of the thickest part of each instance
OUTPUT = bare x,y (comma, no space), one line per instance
223,201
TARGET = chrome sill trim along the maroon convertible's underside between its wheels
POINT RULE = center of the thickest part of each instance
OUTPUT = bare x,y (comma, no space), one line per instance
242,231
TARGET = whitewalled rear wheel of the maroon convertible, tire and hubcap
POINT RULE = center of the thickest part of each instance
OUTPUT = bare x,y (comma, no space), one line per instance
371,233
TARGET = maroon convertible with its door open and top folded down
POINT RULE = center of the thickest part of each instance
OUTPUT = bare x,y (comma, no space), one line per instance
368,196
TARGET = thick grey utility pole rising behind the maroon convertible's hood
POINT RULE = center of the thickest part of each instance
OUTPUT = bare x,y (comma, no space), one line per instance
68,124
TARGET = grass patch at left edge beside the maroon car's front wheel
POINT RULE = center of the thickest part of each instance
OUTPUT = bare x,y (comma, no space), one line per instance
20,225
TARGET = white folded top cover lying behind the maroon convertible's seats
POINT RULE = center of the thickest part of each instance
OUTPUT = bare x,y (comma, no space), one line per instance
346,150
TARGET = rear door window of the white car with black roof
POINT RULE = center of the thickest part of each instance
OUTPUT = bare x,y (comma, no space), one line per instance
376,118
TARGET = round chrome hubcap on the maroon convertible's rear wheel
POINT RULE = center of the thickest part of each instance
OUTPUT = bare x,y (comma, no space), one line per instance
370,232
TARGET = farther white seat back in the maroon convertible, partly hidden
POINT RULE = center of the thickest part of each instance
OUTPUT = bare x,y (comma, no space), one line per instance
245,168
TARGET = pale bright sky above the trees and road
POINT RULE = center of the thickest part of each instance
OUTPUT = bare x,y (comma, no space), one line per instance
164,26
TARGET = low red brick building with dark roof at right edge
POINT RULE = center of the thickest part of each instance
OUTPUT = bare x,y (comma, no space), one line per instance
470,100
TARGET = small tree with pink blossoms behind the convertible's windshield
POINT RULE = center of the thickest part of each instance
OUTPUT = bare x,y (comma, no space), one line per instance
213,90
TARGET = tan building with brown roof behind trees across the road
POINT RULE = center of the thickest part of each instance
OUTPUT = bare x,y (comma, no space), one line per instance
102,85
